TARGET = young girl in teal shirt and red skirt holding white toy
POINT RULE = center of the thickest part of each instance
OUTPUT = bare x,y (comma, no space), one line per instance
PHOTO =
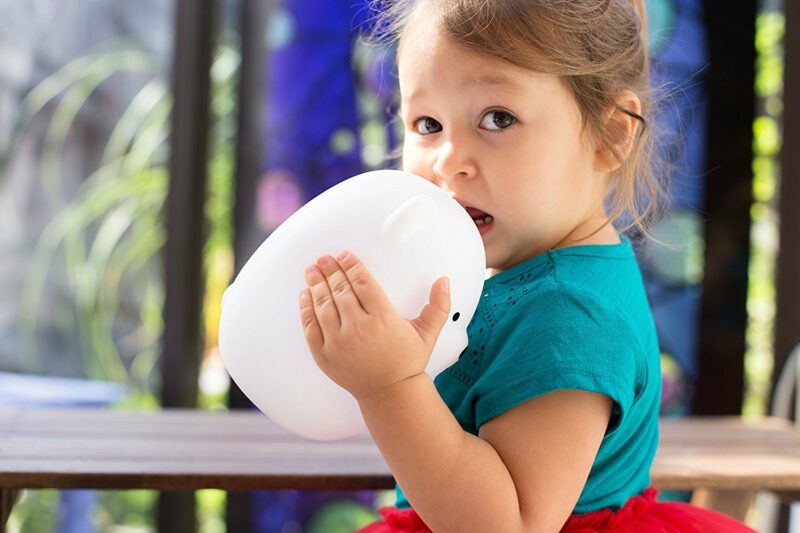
533,115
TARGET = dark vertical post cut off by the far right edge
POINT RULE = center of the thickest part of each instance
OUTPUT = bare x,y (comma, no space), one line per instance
787,318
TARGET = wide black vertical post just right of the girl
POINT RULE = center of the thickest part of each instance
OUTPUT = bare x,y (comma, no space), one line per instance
731,109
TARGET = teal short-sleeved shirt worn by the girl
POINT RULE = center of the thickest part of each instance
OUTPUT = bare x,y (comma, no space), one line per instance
571,318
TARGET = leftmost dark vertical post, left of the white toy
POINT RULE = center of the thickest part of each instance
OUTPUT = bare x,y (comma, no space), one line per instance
182,343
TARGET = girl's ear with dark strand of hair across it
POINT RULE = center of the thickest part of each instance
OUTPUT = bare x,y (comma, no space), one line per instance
620,131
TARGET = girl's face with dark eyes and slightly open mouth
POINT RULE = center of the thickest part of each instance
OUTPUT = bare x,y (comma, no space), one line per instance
504,141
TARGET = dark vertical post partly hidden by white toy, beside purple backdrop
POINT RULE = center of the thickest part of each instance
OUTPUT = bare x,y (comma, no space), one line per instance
249,162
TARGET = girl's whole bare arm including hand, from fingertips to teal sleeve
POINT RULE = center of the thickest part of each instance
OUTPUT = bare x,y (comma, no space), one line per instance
524,473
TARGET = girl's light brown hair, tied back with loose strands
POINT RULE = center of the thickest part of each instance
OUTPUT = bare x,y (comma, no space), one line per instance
598,48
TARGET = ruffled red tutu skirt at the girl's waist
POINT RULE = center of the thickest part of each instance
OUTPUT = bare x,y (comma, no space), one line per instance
641,514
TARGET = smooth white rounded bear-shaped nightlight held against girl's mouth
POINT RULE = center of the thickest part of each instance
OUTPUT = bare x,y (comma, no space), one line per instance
407,232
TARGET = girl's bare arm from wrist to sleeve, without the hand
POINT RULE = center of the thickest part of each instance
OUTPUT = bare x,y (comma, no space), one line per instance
524,473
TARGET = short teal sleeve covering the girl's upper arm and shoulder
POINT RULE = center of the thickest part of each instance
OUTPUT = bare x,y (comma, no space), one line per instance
560,337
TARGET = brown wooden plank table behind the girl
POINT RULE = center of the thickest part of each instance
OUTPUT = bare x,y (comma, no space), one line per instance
186,450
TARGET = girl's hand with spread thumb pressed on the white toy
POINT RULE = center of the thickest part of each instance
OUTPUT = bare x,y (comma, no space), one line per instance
355,334
